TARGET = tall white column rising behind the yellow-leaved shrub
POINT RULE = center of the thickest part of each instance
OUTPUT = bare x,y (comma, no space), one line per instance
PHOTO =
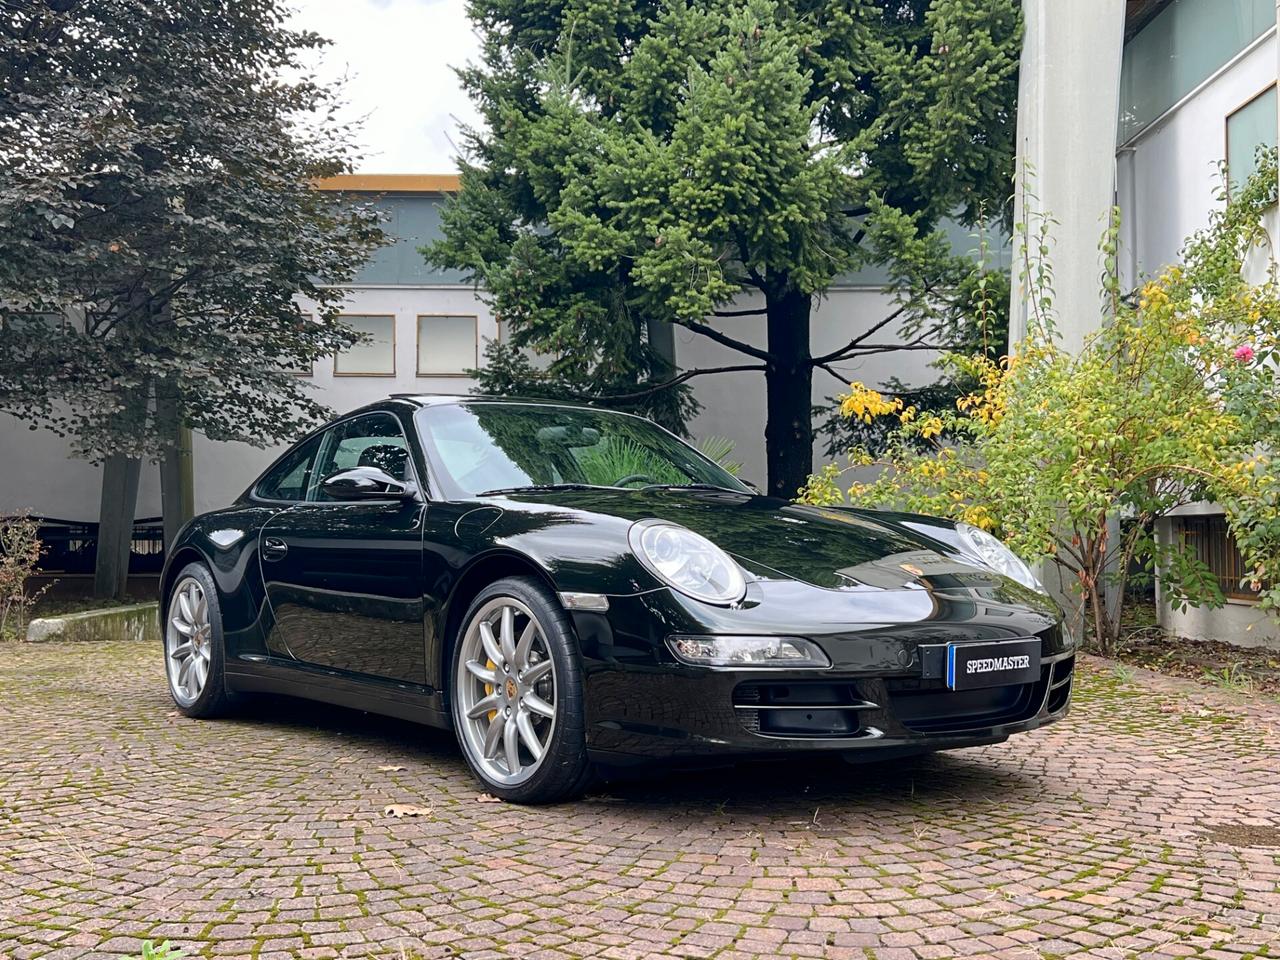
1068,107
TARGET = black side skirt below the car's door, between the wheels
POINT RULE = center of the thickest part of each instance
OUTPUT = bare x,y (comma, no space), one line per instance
269,675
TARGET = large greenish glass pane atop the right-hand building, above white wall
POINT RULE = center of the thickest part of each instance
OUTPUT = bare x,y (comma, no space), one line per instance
1182,48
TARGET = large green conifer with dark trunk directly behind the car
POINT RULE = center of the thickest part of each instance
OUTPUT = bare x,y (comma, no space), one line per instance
655,164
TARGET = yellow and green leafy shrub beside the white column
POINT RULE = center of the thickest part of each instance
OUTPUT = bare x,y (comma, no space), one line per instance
1176,400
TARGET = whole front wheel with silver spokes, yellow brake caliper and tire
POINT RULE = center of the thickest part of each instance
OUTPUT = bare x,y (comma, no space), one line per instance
518,696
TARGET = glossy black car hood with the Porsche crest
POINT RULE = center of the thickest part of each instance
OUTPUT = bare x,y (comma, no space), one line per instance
833,548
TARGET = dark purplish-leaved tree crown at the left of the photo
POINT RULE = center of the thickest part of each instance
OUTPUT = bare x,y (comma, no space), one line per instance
161,218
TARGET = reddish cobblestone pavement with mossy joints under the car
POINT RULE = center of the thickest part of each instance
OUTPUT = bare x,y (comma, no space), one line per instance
1146,825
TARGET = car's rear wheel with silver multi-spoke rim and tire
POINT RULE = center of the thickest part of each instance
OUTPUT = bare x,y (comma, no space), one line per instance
194,652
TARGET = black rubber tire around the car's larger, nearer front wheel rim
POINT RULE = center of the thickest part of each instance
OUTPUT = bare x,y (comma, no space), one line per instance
564,771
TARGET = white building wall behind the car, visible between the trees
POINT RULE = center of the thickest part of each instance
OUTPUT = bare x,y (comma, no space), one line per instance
43,477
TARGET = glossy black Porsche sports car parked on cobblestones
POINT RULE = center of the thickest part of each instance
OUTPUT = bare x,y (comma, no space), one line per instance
566,587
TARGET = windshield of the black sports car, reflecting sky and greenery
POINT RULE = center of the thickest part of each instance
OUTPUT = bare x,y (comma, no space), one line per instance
493,447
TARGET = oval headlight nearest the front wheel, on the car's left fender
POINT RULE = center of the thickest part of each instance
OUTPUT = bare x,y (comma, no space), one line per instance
688,563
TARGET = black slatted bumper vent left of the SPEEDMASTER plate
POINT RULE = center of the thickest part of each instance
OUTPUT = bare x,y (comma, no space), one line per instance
802,710
